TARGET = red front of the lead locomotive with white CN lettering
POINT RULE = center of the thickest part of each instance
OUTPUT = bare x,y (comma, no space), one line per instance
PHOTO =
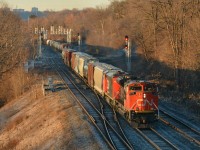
141,101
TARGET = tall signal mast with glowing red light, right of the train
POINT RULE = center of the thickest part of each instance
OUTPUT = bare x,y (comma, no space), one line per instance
127,49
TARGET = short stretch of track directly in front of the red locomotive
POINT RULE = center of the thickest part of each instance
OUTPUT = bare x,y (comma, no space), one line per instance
156,139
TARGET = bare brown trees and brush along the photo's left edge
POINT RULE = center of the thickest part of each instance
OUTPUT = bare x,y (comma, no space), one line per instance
14,51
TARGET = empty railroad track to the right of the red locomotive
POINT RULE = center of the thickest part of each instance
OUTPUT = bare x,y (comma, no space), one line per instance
188,132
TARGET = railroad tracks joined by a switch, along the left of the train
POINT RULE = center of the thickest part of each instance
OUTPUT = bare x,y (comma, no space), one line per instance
101,115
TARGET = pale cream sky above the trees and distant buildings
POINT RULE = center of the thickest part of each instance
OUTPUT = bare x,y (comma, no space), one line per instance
55,5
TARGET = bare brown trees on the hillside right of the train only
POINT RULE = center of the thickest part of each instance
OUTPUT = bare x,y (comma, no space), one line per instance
163,31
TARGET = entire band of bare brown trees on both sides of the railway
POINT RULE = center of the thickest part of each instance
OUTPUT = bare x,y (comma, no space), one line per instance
165,34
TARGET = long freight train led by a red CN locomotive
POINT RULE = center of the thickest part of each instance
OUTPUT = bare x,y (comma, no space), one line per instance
136,100
